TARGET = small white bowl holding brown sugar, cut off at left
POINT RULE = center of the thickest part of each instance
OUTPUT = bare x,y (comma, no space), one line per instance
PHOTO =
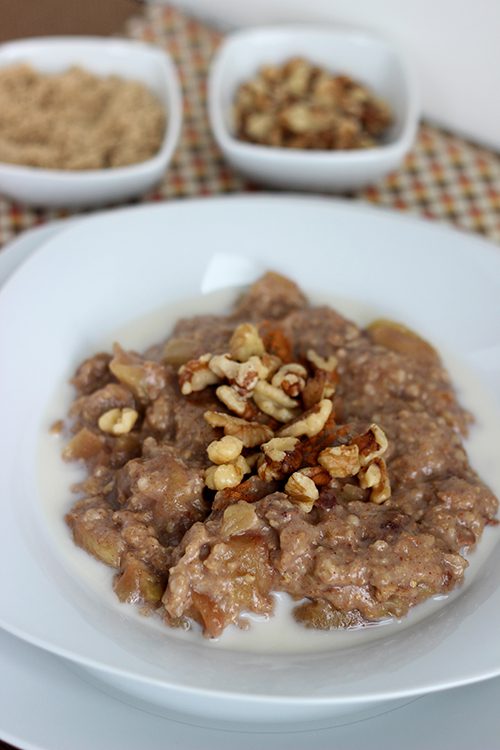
129,59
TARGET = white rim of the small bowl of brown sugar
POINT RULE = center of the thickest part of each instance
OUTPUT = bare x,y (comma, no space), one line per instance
170,82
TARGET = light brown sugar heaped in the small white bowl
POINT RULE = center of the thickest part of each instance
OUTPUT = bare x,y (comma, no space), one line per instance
75,120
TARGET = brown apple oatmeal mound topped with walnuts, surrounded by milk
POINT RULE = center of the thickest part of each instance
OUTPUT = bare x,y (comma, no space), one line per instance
280,448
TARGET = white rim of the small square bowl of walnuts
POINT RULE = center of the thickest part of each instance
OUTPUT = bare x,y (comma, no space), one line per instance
271,154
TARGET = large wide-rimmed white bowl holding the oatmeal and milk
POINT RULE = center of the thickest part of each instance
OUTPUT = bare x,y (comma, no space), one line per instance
390,262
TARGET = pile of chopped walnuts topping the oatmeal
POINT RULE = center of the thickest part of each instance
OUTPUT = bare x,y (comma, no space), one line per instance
257,380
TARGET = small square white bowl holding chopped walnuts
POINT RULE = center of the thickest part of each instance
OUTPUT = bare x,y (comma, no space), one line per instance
364,57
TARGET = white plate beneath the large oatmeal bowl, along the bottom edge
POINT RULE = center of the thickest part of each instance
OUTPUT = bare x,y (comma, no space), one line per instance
66,712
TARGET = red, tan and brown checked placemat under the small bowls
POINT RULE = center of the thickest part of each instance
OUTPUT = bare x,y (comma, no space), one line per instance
444,177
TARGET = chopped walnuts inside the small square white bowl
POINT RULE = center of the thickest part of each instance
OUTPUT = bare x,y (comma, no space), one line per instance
300,105
